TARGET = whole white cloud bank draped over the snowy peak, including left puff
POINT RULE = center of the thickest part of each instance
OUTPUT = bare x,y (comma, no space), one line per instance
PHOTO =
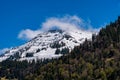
66,23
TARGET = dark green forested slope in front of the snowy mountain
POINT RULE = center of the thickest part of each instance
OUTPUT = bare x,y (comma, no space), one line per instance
98,59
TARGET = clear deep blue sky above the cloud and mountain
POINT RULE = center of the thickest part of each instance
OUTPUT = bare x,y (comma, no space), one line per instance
17,15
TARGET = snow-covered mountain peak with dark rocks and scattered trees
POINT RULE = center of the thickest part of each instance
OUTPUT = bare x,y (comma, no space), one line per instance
47,45
